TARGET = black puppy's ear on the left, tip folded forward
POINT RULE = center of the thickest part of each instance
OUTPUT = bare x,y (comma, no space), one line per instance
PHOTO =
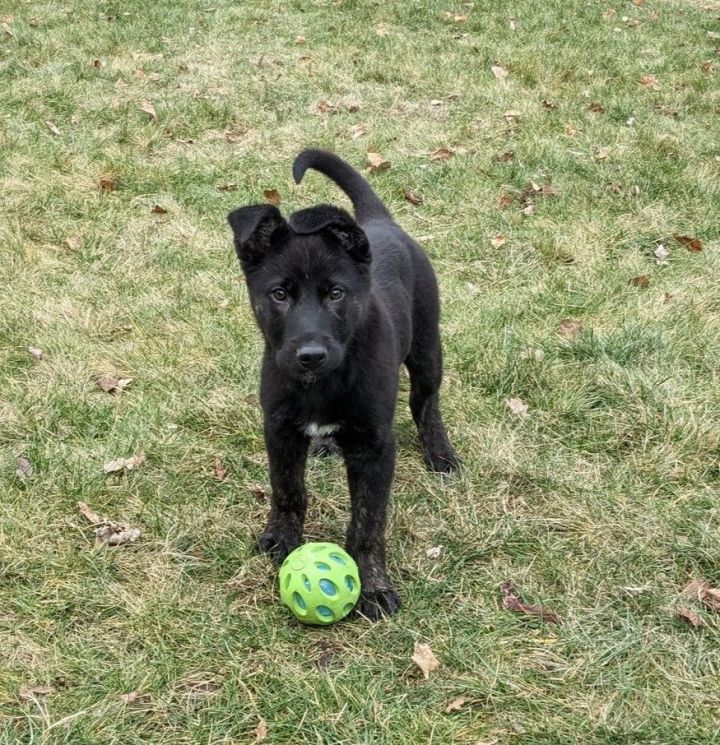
257,229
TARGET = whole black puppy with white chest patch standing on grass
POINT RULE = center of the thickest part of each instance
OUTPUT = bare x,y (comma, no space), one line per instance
341,303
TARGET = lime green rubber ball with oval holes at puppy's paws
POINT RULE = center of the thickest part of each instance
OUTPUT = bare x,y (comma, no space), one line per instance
319,582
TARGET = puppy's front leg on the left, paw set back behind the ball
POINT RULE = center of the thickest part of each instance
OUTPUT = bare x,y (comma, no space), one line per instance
287,453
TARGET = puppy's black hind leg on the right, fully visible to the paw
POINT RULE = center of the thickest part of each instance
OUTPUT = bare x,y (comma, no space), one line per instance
424,363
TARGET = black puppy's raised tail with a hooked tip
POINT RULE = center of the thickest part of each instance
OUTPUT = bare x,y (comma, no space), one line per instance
366,203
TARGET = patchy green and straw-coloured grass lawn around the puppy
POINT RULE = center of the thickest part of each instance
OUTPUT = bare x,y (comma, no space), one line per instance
600,503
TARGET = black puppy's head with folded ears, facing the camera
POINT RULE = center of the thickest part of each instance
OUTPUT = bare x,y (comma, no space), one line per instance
309,283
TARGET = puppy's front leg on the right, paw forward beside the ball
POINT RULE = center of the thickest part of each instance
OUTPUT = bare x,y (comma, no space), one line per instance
370,472
